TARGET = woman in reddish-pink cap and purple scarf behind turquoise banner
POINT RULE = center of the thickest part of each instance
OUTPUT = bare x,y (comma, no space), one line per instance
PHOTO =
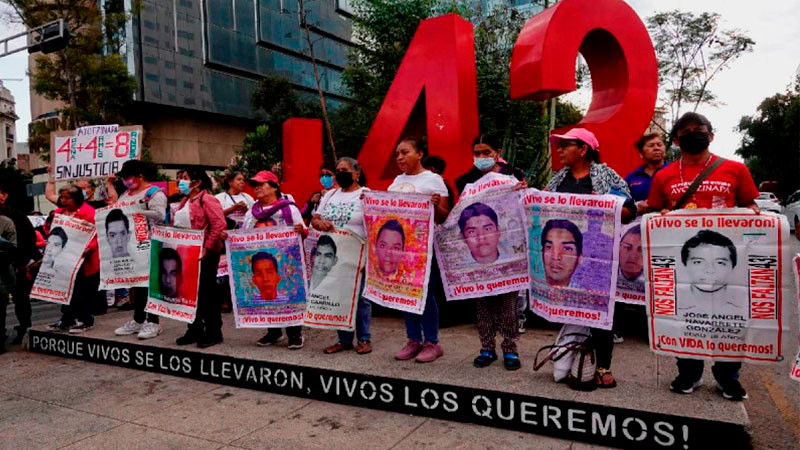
271,209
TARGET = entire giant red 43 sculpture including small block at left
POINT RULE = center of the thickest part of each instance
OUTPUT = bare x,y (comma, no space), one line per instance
435,91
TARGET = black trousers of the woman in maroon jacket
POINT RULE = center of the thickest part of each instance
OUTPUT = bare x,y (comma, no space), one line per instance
209,314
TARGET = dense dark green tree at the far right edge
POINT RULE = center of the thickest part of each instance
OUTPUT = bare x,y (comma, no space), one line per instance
771,141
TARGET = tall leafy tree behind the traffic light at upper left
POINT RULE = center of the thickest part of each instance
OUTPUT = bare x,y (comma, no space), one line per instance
93,85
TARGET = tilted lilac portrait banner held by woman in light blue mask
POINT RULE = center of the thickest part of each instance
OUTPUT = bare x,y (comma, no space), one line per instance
481,247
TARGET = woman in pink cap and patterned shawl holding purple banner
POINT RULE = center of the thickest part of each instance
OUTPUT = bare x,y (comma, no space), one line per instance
583,173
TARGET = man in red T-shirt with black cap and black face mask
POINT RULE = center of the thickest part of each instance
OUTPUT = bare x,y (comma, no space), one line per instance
729,185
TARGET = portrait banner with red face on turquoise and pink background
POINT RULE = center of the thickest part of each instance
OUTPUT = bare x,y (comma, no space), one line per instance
267,277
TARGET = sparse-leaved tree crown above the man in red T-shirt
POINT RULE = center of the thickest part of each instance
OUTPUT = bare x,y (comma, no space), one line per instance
692,49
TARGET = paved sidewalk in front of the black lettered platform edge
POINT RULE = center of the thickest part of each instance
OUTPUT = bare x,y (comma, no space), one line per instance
49,402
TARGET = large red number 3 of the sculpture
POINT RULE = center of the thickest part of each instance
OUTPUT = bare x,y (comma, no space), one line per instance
619,53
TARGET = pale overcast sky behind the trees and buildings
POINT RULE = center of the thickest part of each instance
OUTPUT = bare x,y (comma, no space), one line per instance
769,69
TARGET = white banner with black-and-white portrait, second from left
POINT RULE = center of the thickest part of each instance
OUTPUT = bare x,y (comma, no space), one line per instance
123,239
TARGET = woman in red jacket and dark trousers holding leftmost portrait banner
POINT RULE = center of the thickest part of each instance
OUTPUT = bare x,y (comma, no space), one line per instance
77,317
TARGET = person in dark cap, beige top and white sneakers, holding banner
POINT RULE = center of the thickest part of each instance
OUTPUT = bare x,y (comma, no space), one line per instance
136,176
